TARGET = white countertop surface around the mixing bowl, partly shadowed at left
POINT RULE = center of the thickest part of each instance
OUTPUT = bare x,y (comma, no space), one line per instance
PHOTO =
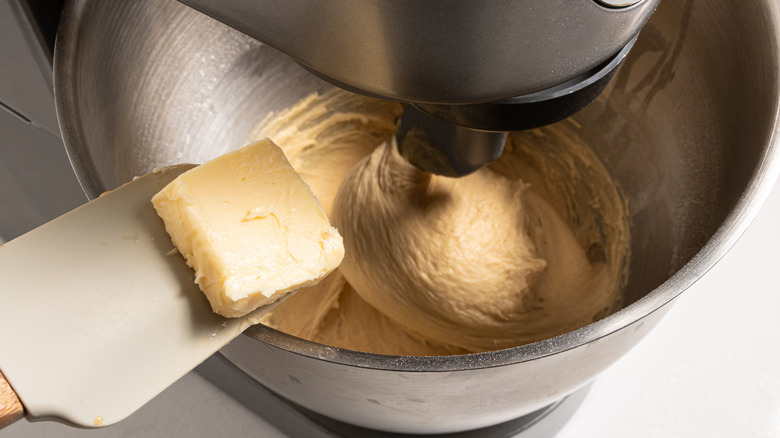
711,368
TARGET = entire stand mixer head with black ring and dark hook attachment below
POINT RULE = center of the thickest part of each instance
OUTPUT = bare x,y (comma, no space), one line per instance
471,70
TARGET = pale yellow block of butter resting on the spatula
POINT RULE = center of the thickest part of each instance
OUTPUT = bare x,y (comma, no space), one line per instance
250,227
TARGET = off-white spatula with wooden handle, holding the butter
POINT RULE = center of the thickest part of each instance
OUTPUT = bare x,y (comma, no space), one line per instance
98,313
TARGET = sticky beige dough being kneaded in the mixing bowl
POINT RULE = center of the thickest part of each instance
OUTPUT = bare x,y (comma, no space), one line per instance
530,247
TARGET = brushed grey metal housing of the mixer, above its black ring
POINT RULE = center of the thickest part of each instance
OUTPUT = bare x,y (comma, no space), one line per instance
443,52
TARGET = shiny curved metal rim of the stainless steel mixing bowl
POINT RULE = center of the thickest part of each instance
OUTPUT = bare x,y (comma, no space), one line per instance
723,239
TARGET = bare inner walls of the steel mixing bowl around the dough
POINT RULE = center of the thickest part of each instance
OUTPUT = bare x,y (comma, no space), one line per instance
685,127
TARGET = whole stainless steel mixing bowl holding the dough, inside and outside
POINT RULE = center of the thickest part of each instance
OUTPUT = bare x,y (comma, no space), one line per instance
688,128
